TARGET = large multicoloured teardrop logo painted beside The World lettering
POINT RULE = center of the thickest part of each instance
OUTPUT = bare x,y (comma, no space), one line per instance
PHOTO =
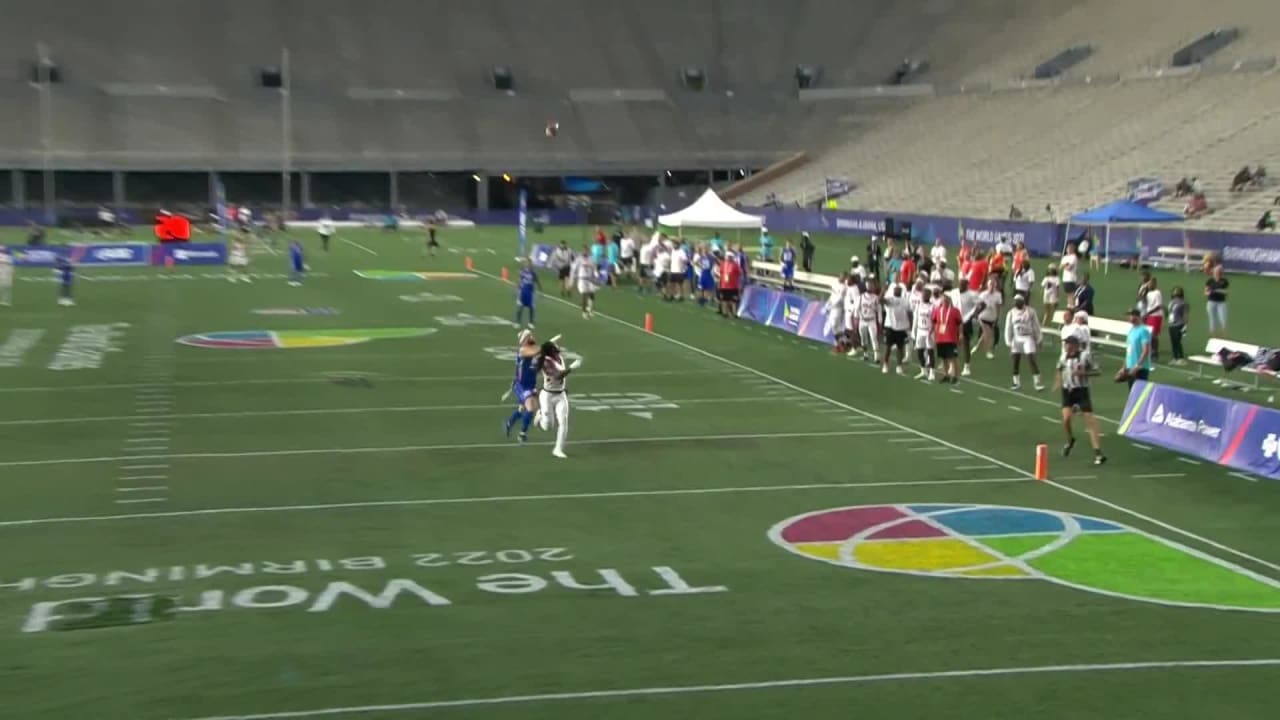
1023,544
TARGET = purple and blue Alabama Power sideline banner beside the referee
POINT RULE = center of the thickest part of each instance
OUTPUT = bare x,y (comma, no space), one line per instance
1222,431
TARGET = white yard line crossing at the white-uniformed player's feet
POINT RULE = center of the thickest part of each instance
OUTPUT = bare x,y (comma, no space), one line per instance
509,445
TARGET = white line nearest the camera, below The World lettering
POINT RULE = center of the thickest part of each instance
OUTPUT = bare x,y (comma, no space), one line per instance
756,686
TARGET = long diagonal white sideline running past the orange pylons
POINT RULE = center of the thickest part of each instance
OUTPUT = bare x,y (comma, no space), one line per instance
1084,495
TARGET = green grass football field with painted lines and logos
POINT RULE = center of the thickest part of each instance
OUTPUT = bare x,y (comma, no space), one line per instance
747,526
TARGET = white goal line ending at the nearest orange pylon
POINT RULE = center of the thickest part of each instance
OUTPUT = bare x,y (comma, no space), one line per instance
481,500
